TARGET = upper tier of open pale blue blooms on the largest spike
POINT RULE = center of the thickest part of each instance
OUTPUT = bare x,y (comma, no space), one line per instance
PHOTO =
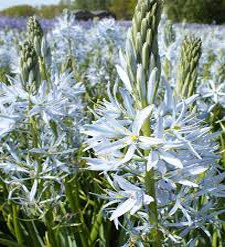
116,141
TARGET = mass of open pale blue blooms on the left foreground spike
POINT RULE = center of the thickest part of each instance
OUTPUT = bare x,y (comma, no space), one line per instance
48,122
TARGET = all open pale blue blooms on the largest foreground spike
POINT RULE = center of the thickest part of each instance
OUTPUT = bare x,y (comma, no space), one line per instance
180,149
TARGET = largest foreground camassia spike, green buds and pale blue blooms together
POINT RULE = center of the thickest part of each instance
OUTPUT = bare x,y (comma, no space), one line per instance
156,150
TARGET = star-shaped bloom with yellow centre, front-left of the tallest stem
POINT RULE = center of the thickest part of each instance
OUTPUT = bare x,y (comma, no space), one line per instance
126,135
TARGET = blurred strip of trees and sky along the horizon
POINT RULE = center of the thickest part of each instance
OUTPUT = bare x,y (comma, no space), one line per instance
193,11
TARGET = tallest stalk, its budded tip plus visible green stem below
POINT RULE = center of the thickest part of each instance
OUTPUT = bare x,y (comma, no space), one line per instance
143,63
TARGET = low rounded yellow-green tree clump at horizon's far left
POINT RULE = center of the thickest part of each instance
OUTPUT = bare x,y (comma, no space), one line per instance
20,10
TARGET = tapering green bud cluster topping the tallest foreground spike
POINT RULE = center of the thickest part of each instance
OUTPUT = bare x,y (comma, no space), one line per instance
143,36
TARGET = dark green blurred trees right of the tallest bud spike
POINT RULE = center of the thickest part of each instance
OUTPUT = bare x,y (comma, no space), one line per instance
198,11
